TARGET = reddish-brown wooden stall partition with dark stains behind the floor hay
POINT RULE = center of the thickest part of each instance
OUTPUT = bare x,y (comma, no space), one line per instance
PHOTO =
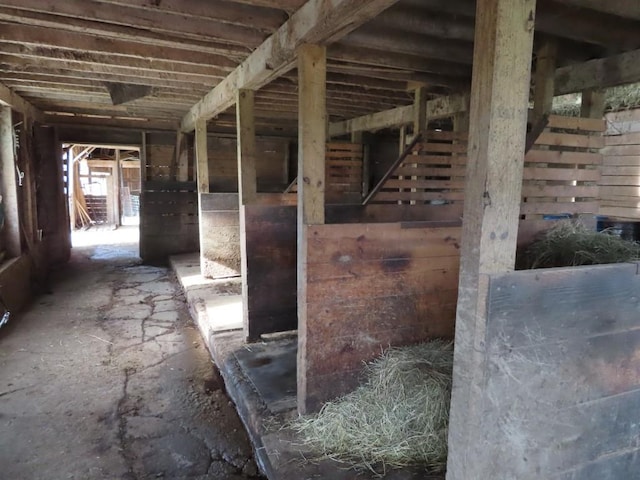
371,286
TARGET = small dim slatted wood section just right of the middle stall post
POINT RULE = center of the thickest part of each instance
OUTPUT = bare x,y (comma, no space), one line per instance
344,167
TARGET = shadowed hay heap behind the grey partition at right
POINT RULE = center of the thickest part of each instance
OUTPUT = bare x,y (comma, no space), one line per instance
570,243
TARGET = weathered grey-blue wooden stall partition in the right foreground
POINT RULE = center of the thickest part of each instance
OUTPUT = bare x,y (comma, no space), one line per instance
559,380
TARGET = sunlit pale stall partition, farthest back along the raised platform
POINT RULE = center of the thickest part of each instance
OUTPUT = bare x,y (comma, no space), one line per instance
220,223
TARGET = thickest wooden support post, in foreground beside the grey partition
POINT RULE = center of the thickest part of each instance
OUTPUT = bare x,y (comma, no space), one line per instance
498,119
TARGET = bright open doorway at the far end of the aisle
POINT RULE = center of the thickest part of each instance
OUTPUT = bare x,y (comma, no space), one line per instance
103,185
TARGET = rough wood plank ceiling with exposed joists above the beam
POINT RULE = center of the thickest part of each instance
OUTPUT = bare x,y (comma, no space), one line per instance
66,56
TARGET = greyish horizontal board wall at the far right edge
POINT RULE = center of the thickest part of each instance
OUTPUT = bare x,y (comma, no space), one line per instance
620,184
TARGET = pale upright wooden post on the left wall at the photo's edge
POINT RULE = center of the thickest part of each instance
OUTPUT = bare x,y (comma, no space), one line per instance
9,186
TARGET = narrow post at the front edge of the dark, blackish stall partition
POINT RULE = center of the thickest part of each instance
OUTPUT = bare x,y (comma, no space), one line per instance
247,190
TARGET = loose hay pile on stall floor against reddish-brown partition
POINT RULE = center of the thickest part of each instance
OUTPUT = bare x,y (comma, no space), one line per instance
398,418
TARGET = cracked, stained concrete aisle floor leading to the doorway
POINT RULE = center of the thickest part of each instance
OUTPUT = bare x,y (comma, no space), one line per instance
107,378
